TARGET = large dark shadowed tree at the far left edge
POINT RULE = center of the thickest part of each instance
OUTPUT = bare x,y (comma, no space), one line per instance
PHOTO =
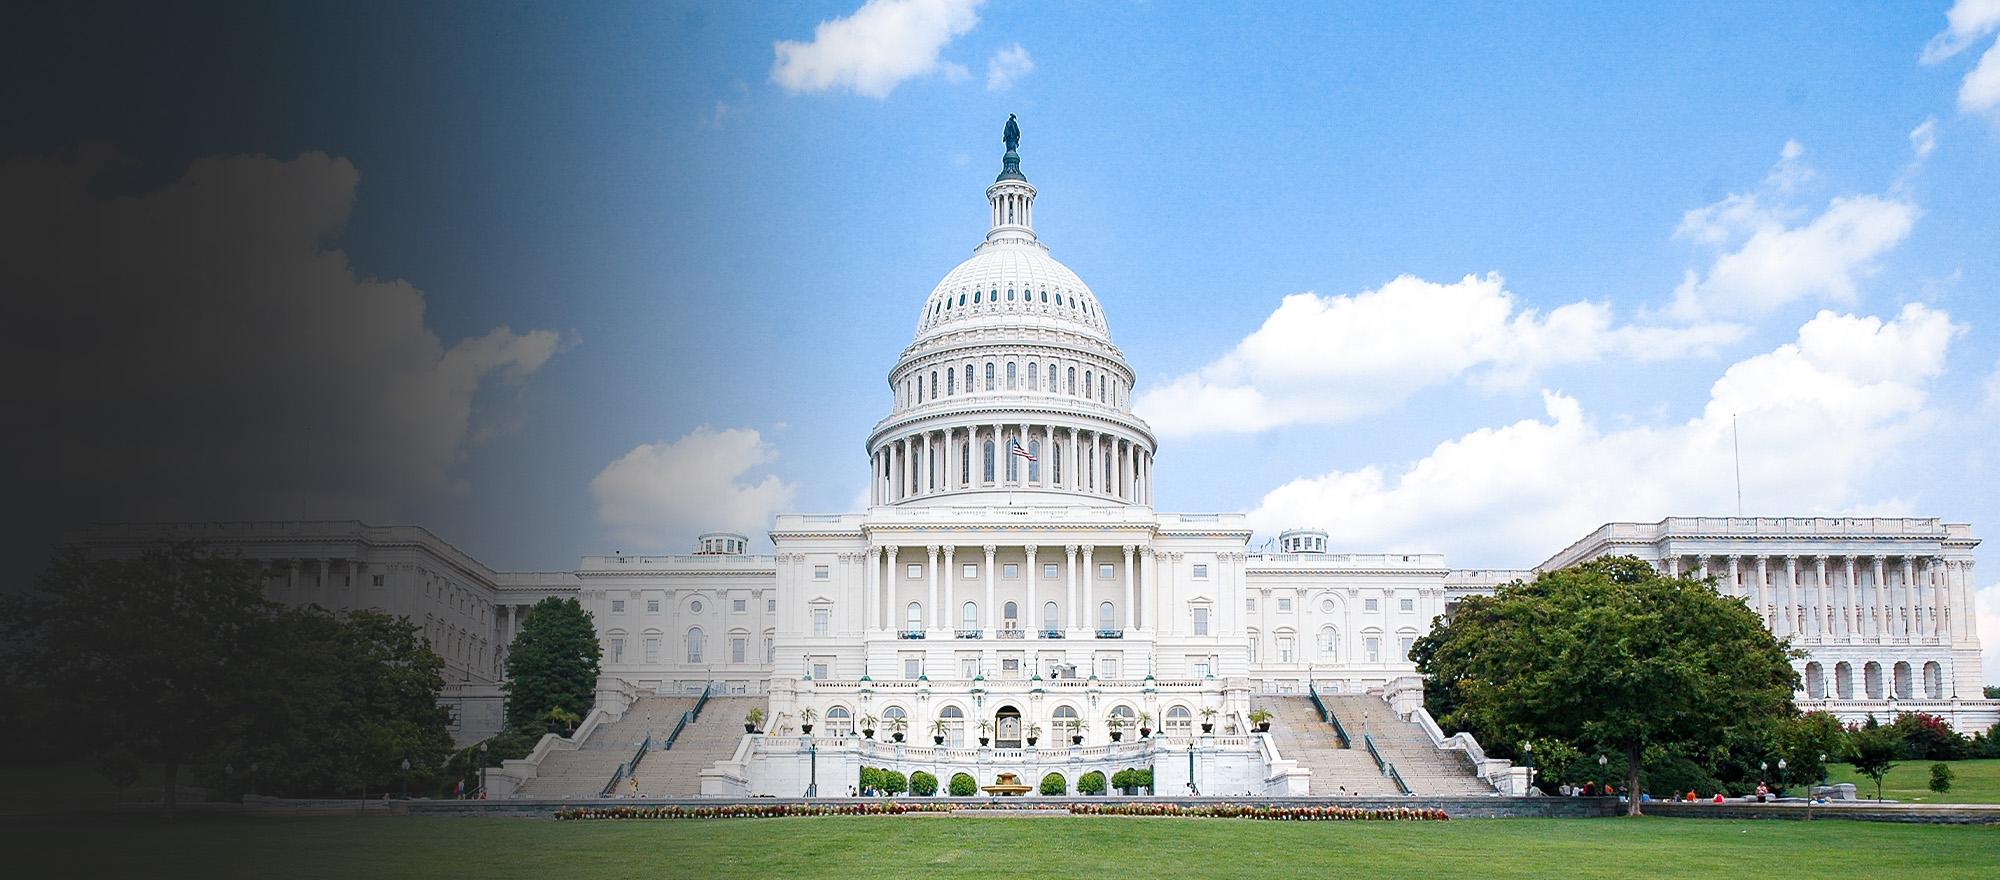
147,659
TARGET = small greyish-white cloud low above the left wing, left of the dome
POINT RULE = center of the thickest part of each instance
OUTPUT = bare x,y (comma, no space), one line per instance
663,495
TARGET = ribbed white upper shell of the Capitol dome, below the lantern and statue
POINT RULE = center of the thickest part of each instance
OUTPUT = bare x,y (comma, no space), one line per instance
1011,281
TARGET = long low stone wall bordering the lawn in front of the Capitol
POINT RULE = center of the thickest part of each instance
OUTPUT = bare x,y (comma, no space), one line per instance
1453,807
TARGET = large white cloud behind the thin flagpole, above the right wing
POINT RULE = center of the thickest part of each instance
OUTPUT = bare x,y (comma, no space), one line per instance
1819,415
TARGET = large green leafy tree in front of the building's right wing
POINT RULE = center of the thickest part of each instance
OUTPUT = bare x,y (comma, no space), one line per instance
1613,655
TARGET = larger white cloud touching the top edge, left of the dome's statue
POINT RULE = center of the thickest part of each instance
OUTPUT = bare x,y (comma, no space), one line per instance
877,49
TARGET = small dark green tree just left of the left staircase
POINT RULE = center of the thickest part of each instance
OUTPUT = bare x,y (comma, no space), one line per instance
551,665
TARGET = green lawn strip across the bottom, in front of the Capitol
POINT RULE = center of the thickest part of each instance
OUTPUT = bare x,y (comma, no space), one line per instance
941,847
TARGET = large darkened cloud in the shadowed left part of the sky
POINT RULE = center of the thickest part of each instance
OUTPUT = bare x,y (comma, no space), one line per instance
205,351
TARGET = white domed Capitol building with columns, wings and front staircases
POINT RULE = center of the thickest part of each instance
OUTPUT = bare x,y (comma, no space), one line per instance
1013,603
